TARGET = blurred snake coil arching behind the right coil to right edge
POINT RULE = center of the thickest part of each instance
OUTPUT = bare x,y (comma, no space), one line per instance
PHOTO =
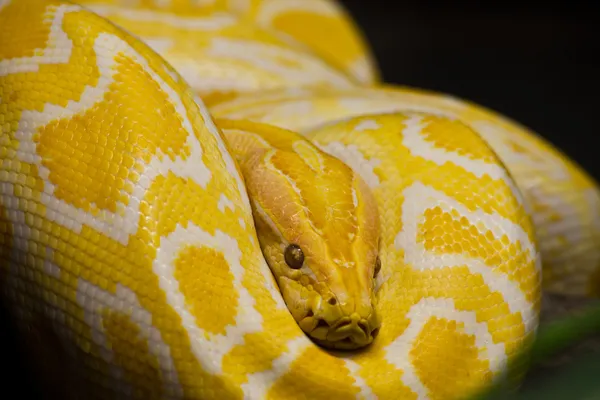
561,198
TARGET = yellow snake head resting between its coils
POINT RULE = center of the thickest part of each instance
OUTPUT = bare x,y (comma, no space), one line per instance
318,226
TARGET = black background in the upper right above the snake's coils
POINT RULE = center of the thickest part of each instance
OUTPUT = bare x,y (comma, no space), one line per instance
534,63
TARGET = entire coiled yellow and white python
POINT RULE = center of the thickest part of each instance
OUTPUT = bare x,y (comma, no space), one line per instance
217,199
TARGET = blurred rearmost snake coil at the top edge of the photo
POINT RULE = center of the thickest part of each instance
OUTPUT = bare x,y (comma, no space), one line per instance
249,44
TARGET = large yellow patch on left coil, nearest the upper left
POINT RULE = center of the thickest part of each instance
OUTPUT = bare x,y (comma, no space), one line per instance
103,152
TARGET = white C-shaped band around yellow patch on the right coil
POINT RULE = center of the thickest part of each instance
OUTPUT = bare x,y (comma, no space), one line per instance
419,198
